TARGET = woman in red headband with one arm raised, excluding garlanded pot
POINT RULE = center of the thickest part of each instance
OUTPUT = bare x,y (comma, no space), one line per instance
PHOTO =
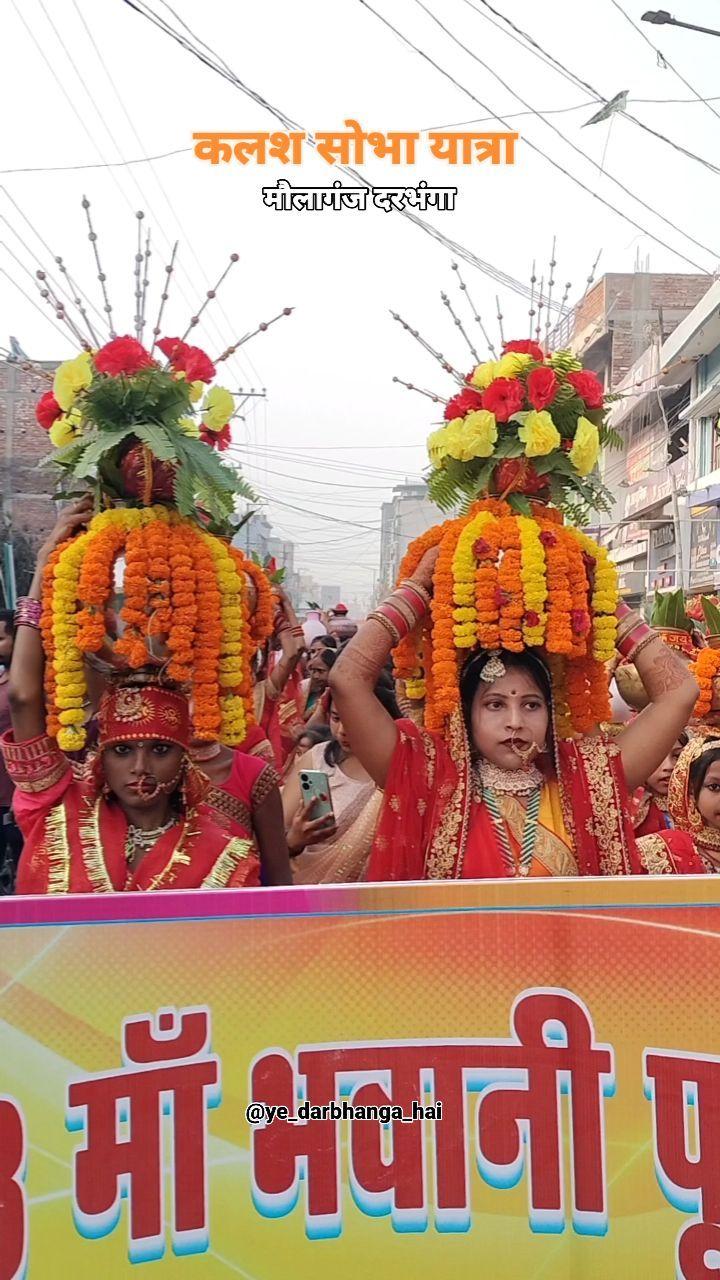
134,821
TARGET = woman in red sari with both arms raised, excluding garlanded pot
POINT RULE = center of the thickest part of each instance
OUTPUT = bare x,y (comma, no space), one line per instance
500,794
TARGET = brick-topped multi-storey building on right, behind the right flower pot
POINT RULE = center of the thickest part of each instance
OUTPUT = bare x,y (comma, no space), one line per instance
621,331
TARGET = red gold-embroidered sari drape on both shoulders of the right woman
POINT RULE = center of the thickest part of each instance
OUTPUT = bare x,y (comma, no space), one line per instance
432,829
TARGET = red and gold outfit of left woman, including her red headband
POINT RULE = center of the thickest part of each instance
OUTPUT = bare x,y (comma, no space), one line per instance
76,838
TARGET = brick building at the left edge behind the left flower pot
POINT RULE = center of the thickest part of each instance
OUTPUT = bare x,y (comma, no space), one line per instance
28,508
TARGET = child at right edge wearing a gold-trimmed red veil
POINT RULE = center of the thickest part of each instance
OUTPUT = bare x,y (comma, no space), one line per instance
694,801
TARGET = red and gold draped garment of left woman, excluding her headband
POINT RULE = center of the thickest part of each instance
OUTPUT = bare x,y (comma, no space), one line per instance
75,843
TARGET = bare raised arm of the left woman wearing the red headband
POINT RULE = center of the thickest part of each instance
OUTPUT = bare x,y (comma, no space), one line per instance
26,692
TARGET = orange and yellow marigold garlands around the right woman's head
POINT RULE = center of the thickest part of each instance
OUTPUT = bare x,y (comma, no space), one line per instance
505,580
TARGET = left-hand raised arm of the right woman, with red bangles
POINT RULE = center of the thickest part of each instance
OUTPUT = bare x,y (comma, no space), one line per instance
370,728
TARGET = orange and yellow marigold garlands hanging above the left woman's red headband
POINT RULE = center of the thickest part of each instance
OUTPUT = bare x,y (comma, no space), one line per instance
185,605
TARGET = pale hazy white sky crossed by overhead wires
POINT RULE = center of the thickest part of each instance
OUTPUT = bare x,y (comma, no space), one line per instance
335,435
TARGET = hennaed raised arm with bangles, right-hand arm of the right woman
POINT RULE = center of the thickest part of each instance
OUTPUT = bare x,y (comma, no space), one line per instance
672,691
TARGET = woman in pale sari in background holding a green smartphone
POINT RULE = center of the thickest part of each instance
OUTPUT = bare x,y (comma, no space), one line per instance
336,849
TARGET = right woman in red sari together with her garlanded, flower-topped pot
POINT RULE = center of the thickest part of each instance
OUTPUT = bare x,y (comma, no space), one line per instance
502,624
